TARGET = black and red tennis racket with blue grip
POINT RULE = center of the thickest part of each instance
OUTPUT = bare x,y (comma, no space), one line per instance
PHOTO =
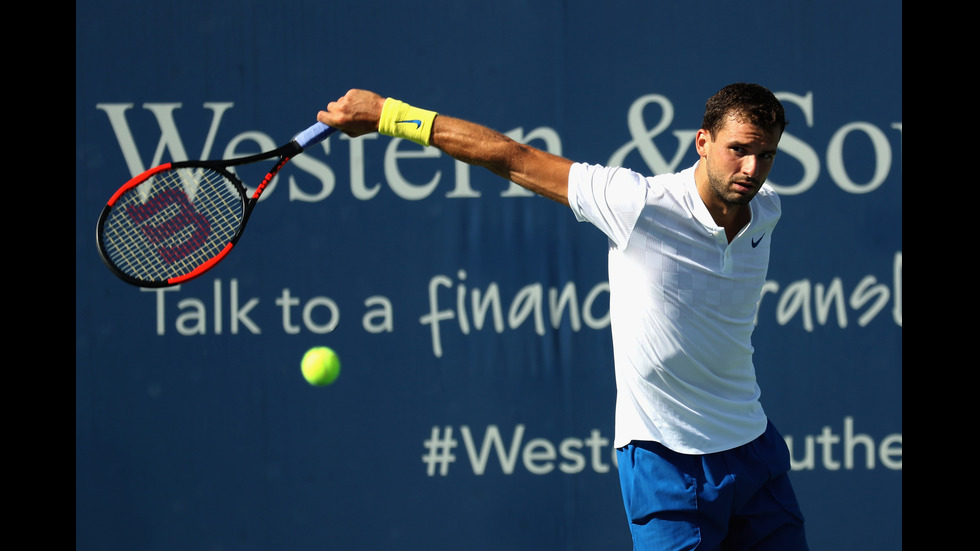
175,222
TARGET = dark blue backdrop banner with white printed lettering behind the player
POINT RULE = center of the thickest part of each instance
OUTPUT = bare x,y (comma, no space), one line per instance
475,405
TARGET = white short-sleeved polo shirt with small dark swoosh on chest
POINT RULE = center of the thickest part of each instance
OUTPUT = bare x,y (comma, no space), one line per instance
683,302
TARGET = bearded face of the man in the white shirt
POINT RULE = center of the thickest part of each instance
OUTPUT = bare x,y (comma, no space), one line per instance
737,161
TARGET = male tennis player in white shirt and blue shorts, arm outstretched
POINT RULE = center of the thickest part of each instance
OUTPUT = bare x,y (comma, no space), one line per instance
701,466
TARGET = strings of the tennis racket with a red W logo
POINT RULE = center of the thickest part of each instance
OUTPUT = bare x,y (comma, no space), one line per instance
173,223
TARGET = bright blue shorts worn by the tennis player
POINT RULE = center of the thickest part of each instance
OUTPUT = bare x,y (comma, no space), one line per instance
737,499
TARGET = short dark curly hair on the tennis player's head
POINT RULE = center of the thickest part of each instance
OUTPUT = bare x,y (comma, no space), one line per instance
749,103
